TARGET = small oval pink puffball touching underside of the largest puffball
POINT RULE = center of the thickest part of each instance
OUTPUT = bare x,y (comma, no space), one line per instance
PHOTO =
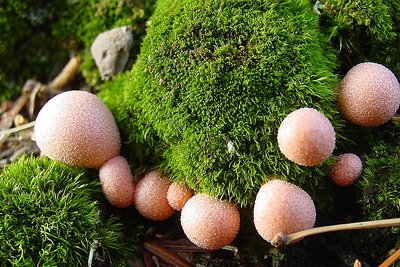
117,182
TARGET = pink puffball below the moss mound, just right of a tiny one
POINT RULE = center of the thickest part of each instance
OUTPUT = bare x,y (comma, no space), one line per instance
209,222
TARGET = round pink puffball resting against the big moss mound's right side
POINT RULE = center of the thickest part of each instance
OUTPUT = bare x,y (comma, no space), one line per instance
306,137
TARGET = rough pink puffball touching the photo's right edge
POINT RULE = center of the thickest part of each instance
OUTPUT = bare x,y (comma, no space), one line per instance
369,94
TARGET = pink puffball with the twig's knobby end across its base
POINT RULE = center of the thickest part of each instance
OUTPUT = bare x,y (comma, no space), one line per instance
282,207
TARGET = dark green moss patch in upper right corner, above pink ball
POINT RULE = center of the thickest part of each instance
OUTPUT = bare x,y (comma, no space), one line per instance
364,31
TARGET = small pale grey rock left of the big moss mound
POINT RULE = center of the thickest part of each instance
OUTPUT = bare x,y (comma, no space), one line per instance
110,51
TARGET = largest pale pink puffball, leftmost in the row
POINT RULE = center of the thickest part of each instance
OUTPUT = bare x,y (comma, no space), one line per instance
76,128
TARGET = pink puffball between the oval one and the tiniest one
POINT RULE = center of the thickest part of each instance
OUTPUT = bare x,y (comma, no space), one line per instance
151,196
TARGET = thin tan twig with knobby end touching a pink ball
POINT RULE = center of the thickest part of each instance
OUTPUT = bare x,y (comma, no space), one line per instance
281,239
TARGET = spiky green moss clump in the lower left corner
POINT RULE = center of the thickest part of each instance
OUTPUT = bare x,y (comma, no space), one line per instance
49,216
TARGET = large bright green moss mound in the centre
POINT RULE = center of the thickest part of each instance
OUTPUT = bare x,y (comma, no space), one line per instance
213,82
